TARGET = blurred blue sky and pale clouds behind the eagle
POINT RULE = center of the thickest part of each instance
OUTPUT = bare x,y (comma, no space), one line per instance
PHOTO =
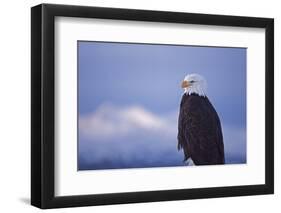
129,96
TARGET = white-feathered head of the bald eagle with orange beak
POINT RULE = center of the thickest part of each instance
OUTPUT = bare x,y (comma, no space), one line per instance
194,83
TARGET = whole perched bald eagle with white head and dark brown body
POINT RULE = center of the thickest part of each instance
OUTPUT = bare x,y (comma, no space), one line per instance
199,128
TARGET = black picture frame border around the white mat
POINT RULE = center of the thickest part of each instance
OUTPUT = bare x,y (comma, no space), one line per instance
43,102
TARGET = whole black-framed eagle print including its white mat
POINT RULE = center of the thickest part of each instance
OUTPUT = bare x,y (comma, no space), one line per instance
139,106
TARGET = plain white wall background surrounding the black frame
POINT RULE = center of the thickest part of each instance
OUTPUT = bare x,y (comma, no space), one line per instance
15,105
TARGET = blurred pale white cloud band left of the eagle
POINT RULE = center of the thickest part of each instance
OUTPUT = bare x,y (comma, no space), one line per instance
109,121
